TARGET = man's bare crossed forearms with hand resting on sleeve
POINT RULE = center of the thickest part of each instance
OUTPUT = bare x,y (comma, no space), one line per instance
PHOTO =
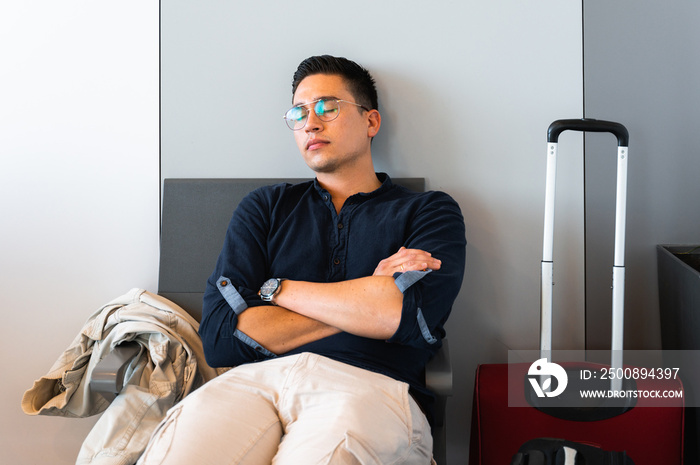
306,312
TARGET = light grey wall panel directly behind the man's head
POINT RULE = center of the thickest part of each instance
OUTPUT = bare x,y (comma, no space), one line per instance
467,90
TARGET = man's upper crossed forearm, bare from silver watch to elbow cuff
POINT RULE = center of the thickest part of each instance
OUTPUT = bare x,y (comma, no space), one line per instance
368,307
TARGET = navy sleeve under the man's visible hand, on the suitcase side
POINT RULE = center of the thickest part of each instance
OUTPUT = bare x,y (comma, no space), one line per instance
428,296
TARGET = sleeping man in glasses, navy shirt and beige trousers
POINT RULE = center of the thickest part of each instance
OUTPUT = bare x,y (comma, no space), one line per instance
338,288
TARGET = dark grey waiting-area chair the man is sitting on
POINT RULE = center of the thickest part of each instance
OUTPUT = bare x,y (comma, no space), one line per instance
195,217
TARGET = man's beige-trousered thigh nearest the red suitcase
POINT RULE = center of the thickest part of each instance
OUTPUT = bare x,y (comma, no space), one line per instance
334,413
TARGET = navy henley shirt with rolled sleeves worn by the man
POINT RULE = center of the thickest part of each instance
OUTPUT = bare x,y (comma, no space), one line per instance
293,231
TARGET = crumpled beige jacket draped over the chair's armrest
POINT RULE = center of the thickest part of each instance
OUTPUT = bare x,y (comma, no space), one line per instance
169,366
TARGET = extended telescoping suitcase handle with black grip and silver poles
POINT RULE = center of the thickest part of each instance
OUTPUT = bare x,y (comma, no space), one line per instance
547,278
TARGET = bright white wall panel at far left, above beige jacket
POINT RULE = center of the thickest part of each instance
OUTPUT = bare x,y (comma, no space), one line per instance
79,170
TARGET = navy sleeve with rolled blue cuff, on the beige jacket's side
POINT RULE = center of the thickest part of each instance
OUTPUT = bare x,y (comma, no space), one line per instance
232,287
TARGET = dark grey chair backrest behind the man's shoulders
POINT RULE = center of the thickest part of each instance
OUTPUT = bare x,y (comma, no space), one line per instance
196,213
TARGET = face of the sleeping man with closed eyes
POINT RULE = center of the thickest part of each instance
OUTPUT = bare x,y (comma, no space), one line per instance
329,146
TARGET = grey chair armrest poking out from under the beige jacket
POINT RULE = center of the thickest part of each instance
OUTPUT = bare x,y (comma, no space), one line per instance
108,375
